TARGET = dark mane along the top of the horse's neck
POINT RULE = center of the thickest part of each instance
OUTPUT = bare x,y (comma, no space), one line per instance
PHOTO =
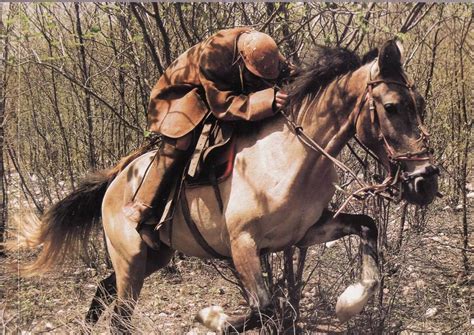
327,64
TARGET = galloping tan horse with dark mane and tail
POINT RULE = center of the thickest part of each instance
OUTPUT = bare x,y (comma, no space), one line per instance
277,194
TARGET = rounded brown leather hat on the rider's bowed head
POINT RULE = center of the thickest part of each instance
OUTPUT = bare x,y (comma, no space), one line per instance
260,54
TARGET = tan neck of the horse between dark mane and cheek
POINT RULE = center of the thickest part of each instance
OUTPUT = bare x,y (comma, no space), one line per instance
328,117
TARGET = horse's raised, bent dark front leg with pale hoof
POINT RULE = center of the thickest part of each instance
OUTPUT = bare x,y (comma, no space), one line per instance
355,297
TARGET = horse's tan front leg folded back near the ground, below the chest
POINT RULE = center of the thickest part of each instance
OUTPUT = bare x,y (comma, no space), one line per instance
245,255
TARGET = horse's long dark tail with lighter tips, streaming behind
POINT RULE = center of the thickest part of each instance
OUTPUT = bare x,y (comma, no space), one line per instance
65,228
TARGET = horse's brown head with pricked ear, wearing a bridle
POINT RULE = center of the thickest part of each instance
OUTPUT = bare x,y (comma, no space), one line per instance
389,123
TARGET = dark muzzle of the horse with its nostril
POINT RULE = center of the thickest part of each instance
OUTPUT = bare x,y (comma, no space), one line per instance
420,187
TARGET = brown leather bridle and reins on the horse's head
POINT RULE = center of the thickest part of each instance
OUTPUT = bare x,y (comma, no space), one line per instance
395,158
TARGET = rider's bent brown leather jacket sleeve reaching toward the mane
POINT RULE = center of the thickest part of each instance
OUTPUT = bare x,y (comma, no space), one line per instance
225,101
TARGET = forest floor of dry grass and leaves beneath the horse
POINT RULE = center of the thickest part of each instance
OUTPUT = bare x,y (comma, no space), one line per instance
423,290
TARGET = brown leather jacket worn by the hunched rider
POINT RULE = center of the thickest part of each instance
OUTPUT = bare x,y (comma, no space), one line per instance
207,77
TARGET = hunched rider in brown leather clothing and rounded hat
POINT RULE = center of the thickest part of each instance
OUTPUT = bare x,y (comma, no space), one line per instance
232,74
